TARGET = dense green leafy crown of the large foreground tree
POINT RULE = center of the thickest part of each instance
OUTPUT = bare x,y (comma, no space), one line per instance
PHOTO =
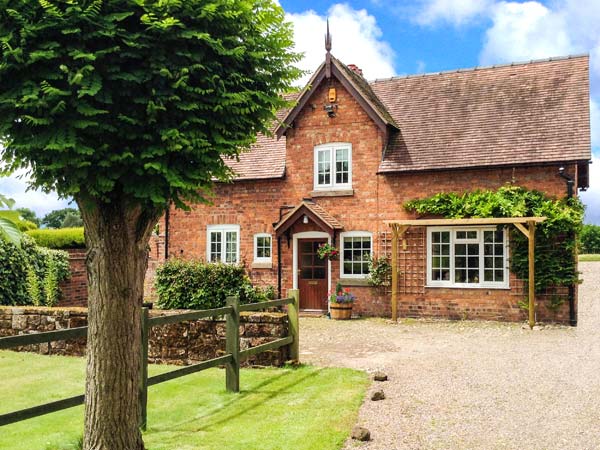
139,99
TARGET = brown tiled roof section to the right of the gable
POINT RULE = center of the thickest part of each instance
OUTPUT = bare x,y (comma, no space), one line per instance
529,113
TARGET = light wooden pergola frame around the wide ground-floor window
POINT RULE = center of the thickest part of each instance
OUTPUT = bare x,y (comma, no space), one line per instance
525,225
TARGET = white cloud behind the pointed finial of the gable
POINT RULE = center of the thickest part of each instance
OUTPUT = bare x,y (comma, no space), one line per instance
356,40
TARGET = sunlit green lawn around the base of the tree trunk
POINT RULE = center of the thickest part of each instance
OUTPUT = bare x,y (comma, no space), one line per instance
305,408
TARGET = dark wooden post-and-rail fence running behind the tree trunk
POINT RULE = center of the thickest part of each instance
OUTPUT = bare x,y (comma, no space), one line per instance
231,359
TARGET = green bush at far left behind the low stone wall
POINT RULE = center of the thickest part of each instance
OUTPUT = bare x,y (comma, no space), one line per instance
29,274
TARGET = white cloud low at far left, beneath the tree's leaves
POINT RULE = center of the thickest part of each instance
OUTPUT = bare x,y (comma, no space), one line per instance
15,187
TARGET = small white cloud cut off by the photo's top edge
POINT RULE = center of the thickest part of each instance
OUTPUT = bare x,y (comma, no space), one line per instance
455,12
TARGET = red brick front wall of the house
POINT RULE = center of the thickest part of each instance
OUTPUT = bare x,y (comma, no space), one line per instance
254,205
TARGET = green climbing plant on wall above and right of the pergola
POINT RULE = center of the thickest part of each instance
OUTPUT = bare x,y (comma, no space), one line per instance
556,237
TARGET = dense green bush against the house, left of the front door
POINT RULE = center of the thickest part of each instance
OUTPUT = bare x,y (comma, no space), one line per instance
198,285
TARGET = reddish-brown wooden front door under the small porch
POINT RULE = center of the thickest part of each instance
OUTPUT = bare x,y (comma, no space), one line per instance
312,275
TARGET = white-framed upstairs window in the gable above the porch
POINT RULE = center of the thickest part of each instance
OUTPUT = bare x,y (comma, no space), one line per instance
333,166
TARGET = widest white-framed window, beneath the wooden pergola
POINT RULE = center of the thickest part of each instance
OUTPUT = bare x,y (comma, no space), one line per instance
467,257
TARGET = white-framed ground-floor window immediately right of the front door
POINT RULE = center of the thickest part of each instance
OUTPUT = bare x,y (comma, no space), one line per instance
356,249
